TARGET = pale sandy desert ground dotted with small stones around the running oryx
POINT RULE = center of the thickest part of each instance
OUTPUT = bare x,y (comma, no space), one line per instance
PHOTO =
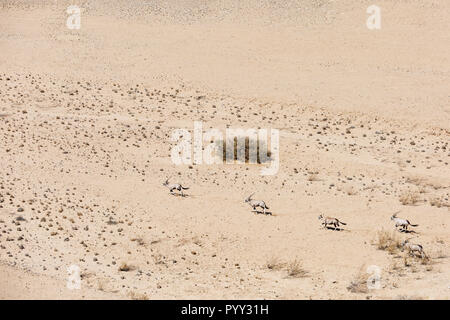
86,118
